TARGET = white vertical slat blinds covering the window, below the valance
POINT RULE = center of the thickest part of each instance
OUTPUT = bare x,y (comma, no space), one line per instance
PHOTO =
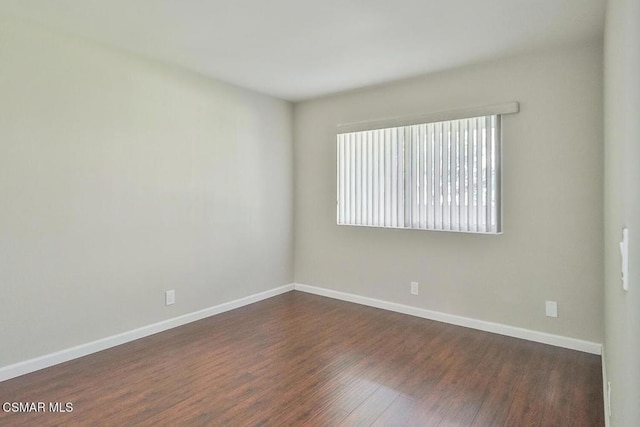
431,176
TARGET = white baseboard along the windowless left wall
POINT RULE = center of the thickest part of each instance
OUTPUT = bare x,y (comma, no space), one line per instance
32,365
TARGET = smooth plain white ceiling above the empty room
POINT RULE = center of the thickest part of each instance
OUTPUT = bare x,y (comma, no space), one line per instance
299,49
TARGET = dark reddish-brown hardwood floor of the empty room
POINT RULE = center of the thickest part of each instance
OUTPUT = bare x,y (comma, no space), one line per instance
300,359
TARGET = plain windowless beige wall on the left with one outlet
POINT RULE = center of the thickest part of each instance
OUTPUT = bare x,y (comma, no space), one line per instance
121,178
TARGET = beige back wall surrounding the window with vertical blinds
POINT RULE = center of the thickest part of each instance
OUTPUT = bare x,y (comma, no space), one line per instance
551,248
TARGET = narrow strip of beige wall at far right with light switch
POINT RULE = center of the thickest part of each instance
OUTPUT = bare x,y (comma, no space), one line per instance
622,208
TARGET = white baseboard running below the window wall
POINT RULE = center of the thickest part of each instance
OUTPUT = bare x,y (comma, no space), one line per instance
497,328
